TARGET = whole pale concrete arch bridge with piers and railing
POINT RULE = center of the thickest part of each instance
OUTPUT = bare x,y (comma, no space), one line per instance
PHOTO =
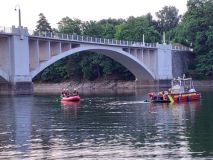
24,54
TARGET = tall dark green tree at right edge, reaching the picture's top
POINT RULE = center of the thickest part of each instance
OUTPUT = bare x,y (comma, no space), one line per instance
196,30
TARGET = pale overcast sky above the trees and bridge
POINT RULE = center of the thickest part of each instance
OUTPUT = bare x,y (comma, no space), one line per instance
85,10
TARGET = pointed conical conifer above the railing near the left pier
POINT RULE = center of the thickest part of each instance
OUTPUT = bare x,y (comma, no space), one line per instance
42,24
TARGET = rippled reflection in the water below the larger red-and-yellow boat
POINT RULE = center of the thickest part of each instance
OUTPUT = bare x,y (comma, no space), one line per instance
171,127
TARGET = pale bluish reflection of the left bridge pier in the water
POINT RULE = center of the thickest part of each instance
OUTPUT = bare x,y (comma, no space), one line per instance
15,126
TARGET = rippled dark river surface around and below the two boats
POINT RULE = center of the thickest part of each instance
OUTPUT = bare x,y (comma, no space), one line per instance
105,126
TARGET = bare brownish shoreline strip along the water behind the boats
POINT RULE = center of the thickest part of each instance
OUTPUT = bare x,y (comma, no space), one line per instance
106,85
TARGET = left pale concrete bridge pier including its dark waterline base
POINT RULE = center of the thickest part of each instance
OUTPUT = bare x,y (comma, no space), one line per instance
18,68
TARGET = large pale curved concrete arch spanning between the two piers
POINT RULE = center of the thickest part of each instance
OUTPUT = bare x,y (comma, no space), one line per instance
134,65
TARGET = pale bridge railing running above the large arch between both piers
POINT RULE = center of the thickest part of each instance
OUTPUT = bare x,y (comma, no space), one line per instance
88,39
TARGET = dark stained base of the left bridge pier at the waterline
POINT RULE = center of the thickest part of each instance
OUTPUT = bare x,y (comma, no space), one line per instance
18,88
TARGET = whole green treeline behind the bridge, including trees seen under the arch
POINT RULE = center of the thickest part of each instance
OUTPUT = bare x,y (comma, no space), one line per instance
193,29
